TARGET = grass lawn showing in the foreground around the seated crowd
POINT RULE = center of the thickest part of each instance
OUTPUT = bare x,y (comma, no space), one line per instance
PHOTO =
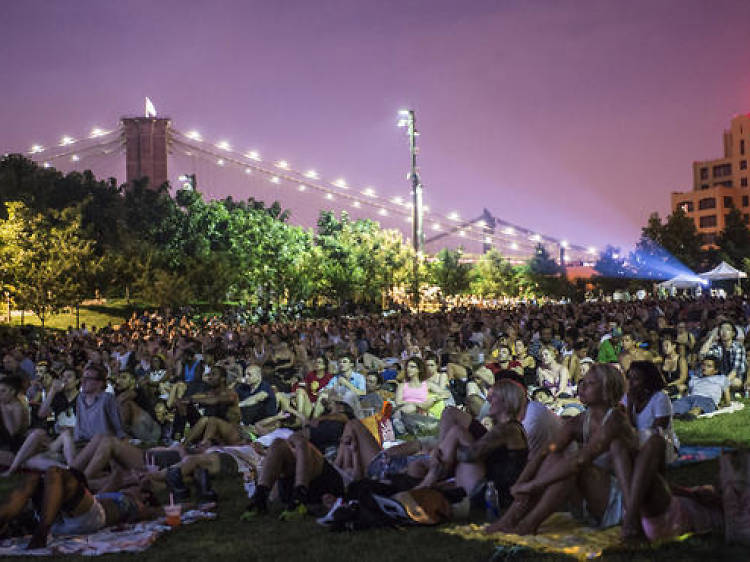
227,538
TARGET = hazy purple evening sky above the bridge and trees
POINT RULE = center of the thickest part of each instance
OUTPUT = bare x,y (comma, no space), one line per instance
576,119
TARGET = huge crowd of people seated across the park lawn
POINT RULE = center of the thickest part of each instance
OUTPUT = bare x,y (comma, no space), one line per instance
519,411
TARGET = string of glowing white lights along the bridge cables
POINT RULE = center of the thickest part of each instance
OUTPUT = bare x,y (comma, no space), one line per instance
221,153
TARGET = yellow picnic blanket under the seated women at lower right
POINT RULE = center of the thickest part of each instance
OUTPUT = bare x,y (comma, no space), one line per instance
560,534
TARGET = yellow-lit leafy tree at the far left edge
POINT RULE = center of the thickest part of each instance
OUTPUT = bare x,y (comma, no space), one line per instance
45,258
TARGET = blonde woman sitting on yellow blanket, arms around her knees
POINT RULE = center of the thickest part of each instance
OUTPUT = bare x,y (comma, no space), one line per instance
606,439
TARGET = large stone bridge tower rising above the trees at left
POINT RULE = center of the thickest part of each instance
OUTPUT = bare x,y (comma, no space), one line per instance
146,143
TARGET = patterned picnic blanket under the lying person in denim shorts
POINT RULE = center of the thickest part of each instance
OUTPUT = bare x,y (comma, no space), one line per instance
132,537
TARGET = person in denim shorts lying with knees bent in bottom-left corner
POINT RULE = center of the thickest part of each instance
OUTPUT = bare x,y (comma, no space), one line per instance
65,506
